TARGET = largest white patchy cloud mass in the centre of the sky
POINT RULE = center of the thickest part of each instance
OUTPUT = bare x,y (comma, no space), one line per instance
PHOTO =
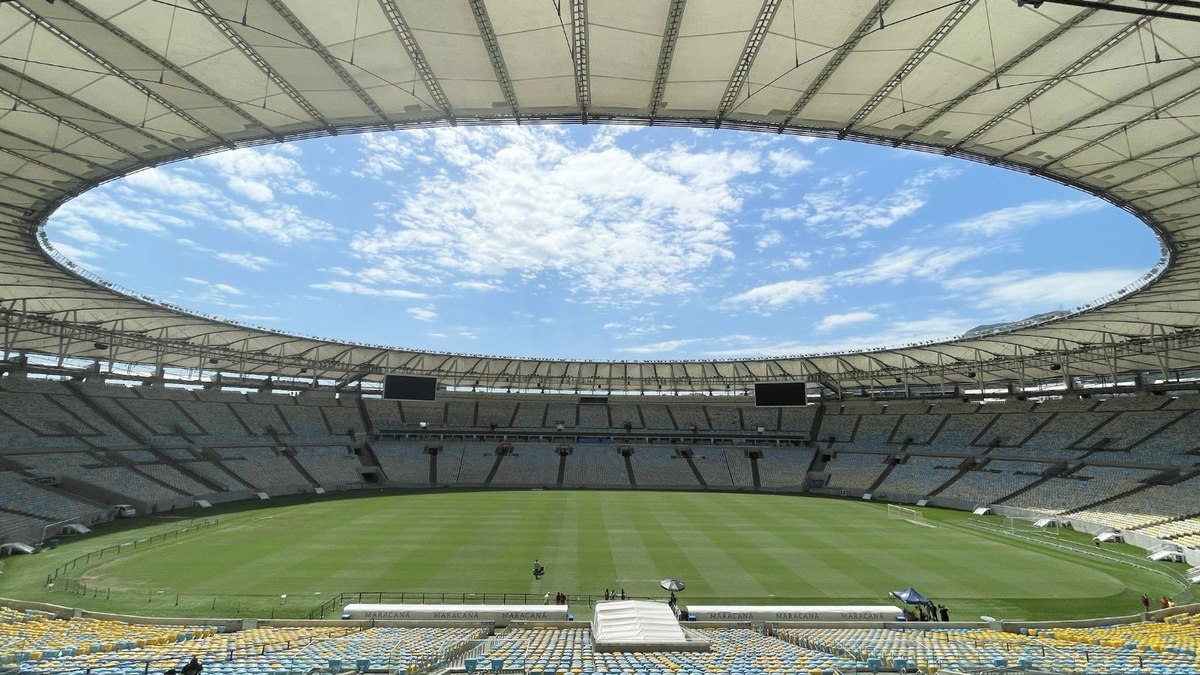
608,225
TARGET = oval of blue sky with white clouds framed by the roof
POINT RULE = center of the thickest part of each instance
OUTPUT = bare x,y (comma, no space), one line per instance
603,242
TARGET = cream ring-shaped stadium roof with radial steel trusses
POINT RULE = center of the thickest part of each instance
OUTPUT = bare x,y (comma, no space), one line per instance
1105,97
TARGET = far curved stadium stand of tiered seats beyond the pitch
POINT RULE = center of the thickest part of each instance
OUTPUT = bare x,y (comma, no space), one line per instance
1120,463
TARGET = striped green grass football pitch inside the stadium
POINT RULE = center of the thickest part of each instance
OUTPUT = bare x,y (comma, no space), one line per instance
729,549
